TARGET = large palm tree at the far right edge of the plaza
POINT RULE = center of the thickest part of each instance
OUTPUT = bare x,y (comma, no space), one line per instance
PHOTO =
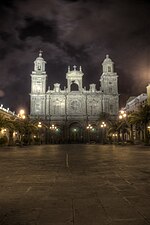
141,119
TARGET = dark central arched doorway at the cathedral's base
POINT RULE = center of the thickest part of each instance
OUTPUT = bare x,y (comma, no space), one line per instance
75,133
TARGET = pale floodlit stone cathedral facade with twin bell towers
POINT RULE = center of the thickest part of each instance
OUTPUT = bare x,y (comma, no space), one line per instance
73,106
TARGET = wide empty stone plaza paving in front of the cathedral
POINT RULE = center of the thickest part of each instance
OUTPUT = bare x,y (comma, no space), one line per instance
75,185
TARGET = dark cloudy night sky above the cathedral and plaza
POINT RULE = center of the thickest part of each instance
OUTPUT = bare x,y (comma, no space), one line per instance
79,32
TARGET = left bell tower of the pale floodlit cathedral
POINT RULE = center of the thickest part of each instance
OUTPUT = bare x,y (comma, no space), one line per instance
38,87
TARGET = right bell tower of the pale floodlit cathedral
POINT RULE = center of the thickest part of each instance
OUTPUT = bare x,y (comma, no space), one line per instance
109,87
